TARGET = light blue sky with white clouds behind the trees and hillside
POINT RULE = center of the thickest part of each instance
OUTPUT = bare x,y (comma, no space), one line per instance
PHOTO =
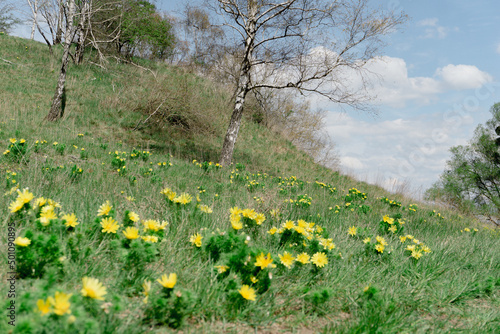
437,78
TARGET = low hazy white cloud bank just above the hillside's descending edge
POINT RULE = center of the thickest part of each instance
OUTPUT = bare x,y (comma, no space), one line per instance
392,152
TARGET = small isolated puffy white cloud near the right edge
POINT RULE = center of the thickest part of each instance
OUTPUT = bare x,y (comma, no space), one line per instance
461,77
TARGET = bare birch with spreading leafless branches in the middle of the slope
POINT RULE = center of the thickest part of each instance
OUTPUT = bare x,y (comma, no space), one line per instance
310,46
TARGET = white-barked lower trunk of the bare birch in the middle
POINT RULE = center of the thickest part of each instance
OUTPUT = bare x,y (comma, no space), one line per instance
226,154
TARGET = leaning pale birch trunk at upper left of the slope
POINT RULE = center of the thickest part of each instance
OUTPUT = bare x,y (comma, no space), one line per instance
58,102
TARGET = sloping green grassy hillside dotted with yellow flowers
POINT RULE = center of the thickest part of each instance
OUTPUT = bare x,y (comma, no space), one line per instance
272,244
